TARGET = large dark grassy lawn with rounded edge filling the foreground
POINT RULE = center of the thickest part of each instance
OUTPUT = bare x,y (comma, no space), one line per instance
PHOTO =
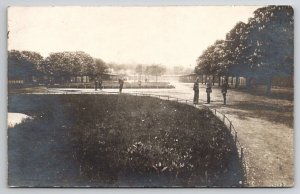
118,140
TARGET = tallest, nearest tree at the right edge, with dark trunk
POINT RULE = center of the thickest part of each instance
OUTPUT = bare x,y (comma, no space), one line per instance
274,49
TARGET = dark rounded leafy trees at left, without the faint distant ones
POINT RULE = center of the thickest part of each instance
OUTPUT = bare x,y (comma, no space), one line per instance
58,65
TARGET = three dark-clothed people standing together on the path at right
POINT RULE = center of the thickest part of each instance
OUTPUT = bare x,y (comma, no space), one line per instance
209,91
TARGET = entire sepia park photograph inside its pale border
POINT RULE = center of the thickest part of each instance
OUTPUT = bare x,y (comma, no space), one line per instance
150,96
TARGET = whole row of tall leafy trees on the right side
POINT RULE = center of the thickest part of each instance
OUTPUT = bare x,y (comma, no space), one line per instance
260,49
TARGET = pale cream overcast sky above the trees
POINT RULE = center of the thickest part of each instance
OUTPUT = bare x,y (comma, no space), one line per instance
162,35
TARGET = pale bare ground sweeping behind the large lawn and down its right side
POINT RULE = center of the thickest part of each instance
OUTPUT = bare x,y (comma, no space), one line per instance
264,126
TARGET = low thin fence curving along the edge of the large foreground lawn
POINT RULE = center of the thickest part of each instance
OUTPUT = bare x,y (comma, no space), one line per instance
227,122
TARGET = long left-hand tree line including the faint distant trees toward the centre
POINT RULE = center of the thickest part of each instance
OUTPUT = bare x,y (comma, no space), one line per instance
61,66
